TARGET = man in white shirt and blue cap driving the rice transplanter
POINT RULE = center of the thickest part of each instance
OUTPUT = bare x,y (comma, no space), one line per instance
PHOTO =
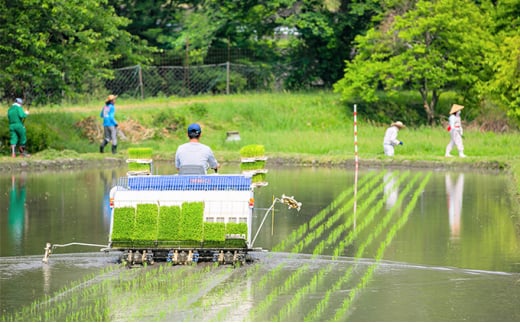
194,153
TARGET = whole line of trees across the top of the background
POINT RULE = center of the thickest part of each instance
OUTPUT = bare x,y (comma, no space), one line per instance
51,50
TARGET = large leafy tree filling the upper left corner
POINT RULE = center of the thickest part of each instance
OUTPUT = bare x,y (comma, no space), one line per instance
51,49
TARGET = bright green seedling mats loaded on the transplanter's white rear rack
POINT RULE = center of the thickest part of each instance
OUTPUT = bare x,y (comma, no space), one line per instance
147,224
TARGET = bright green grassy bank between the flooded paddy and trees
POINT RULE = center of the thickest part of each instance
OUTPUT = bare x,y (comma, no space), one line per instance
298,128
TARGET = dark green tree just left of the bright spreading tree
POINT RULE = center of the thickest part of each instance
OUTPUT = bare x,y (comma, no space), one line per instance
321,39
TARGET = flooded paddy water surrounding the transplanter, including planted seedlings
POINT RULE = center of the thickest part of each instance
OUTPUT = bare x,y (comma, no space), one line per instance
402,245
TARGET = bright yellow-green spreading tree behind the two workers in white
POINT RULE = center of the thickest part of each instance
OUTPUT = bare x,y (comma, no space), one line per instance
430,48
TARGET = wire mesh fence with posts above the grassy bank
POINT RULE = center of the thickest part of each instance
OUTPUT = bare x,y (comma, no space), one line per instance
226,78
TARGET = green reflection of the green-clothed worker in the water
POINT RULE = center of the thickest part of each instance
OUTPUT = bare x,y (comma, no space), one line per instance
16,210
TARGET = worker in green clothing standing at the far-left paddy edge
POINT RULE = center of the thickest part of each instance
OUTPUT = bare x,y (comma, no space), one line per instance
16,116
